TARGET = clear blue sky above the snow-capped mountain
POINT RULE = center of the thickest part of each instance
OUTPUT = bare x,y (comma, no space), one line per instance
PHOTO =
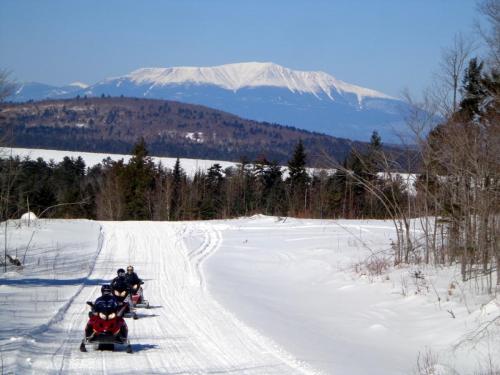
387,45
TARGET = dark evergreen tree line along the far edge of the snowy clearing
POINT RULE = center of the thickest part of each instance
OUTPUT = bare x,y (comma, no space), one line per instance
143,190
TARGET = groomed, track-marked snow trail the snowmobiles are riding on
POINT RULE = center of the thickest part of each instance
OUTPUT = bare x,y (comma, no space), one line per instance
186,331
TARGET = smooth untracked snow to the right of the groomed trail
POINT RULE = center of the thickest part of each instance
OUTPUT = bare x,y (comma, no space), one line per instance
305,284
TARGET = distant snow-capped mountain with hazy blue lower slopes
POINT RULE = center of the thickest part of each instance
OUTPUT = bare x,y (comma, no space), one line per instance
314,101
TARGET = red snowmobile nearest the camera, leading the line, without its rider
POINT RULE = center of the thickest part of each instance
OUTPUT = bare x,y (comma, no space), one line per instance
106,329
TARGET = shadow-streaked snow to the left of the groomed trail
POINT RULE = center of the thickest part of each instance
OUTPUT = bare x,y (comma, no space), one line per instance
56,255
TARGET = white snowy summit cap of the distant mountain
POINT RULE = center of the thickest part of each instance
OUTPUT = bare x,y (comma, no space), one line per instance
250,74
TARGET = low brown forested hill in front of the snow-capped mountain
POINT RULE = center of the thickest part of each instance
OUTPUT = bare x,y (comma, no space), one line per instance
169,128
